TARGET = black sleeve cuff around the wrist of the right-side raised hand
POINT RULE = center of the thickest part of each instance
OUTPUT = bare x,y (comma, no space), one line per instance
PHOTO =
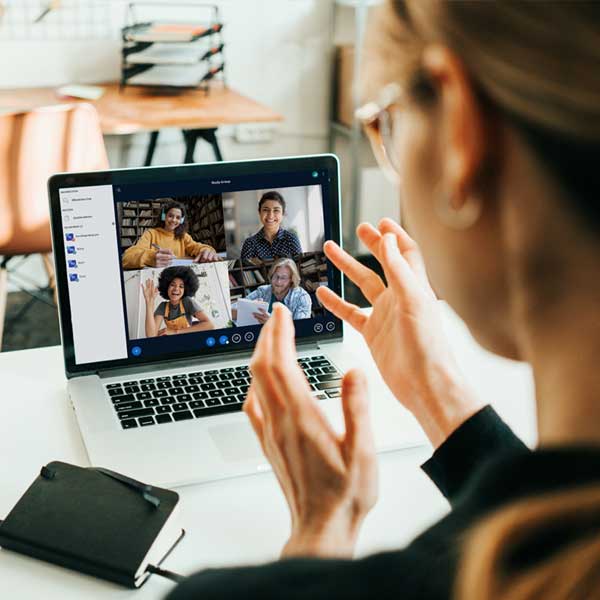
477,440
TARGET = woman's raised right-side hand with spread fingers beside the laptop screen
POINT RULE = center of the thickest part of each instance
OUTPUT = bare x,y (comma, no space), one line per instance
404,330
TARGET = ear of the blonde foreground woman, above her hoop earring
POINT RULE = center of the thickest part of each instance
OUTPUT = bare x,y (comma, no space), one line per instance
464,133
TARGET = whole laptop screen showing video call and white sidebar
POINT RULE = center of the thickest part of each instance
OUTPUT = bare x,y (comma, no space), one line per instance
191,264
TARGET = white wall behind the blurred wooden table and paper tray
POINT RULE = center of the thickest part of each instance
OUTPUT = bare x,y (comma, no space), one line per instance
278,52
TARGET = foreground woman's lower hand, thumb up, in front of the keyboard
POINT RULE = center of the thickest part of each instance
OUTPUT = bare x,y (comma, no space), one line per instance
329,481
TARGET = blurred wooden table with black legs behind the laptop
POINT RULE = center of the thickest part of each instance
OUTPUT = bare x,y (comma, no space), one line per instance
136,109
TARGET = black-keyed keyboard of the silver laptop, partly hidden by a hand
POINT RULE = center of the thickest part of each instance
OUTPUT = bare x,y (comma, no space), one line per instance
156,400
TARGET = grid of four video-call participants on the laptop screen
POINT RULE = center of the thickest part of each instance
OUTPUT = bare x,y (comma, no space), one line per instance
215,261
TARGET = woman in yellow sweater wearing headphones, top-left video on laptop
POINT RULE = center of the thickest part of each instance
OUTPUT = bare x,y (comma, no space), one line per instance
159,245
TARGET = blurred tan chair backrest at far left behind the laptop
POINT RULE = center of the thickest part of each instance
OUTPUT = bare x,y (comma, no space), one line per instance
33,146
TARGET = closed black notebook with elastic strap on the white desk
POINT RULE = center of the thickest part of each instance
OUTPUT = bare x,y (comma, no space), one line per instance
94,521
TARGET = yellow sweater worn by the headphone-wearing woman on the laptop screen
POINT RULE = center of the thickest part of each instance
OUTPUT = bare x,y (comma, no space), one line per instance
143,254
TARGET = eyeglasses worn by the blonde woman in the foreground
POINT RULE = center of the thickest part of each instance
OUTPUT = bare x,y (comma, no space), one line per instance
381,121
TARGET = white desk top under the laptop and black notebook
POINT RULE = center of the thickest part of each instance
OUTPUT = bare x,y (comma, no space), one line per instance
236,521
